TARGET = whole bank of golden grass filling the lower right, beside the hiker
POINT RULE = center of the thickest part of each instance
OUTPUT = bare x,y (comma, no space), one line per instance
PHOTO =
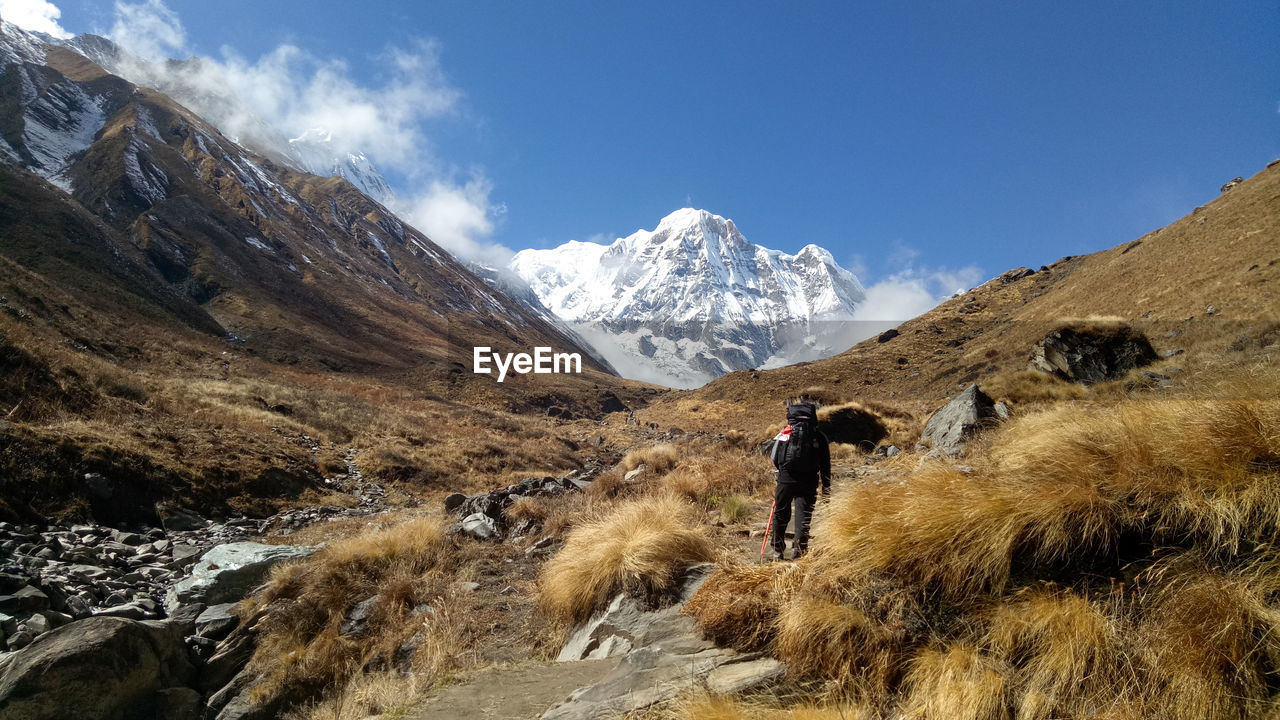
1099,562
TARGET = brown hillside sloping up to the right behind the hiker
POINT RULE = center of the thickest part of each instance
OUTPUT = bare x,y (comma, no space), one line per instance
1226,254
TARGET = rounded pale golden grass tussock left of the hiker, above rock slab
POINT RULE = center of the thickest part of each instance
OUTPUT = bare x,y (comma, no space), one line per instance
642,546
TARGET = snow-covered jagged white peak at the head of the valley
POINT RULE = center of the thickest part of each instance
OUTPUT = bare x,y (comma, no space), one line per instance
694,299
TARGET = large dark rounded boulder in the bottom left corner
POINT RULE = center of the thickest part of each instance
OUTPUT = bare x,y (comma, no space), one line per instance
98,668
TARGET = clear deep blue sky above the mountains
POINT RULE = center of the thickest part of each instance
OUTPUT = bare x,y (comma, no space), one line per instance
911,139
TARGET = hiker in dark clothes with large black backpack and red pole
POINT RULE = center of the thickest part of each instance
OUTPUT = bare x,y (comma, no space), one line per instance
803,458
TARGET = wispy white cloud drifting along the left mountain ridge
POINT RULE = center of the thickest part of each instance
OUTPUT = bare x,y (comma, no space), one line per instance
290,90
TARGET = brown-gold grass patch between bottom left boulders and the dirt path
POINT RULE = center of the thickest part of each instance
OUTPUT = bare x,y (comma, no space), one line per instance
304,649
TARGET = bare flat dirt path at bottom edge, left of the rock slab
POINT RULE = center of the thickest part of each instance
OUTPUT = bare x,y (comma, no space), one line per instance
514,692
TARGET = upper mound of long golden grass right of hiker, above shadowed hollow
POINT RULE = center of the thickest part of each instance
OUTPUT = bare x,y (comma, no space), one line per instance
1067,484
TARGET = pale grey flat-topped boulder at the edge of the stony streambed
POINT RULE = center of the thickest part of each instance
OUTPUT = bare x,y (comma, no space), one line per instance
230,572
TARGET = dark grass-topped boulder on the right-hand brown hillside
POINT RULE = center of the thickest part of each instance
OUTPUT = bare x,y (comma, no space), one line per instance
1094,353
